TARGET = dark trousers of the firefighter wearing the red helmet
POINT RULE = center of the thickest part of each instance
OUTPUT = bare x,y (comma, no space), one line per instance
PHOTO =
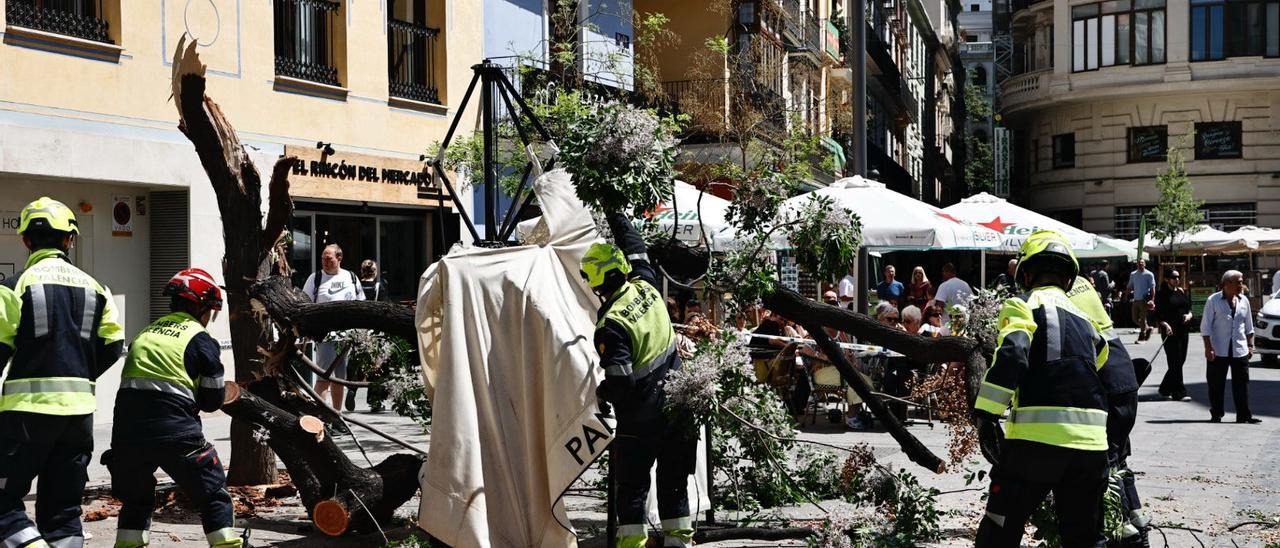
194,465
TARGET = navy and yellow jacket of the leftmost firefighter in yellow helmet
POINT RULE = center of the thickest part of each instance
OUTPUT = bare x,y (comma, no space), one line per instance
61,328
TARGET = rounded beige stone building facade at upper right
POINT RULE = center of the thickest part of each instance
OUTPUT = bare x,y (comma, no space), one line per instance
1104,89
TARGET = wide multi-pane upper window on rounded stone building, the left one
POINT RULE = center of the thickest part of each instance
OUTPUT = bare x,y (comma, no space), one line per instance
1118,33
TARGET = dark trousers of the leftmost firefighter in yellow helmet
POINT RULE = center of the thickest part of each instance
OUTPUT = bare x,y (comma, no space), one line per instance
57,450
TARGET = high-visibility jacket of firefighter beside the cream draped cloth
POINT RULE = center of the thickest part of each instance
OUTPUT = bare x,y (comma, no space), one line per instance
641,310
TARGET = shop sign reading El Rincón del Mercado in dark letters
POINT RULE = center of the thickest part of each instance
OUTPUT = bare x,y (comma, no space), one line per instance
359,177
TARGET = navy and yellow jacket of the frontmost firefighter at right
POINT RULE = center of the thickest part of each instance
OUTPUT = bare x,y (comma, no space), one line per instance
1046,368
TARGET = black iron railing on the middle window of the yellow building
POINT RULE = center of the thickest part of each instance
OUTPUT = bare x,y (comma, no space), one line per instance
305,40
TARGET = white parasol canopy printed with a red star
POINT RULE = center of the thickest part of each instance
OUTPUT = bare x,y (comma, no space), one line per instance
1016,223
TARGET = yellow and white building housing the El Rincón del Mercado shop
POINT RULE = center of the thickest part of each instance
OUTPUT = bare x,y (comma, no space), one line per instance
86,118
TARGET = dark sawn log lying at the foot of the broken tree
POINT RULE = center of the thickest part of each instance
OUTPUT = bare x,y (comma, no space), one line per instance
339,495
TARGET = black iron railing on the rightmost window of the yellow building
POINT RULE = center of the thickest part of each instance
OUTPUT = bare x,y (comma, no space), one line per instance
412,61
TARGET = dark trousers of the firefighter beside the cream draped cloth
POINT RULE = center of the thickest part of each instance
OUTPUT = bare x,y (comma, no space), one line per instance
634,453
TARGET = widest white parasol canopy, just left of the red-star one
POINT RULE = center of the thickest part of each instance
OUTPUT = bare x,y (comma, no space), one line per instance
895,221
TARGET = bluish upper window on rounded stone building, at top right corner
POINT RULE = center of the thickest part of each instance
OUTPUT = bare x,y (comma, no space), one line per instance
1223,30
